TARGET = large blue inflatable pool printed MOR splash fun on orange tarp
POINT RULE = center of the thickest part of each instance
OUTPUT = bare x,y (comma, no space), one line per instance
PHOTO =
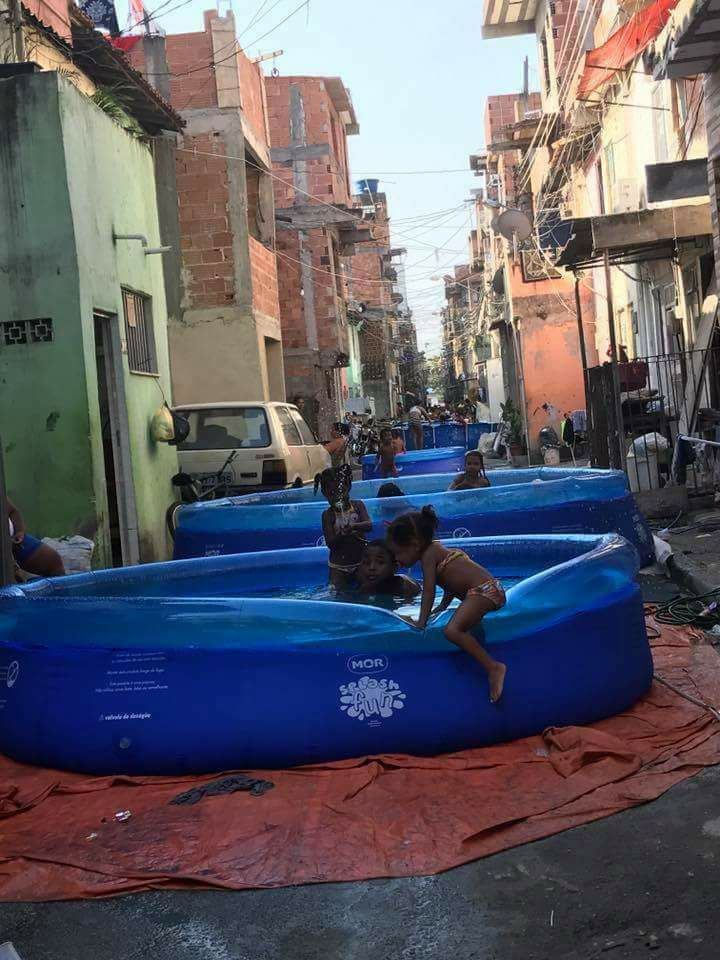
215,664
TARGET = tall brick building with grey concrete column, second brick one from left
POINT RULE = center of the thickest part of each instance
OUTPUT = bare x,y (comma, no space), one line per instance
310,119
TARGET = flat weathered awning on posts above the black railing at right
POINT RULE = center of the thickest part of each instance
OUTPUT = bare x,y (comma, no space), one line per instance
635,237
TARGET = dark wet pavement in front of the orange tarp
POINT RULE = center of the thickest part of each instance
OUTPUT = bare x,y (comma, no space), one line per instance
644,880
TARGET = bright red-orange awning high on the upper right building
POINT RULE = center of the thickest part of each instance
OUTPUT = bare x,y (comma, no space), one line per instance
623,46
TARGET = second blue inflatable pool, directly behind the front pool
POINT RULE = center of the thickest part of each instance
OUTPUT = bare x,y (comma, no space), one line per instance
539,500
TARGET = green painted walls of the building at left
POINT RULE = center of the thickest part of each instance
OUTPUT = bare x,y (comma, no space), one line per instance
74,177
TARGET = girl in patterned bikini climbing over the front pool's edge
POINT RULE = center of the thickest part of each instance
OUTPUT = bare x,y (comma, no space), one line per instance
410,537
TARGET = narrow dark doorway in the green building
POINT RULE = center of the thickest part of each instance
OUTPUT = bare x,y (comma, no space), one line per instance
119,493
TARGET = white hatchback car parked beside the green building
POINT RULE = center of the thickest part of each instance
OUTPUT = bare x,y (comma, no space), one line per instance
275,446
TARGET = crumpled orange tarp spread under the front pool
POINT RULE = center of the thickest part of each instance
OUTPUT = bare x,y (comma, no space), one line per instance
386,816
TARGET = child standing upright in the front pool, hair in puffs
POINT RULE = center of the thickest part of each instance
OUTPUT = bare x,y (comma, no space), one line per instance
344,524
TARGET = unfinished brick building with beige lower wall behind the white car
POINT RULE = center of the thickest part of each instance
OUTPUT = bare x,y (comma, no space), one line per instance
222,288
